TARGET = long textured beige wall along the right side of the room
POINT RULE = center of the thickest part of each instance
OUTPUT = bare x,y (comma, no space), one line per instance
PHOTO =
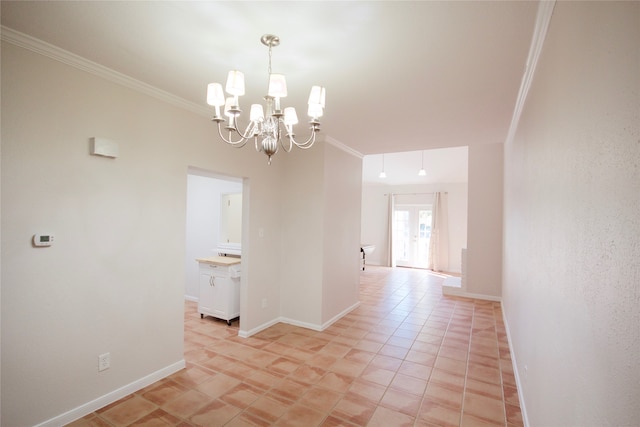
572,229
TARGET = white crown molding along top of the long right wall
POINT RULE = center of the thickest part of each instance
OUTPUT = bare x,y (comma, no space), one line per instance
543,18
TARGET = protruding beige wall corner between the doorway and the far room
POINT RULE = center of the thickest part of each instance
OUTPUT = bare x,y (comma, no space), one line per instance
321,235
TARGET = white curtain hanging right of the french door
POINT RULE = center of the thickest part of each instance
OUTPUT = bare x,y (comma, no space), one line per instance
439,242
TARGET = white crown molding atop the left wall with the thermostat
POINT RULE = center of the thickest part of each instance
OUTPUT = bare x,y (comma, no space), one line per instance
43,48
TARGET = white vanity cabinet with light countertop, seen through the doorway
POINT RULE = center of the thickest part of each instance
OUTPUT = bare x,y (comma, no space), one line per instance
219,287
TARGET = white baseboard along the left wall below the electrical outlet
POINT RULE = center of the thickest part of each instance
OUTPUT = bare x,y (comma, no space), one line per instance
112,396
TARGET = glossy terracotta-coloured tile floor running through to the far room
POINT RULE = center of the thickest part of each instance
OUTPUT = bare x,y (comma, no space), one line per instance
407,356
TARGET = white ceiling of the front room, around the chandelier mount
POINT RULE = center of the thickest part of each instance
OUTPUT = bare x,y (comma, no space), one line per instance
400,76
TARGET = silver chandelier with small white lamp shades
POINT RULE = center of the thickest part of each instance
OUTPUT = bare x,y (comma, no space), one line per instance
265,123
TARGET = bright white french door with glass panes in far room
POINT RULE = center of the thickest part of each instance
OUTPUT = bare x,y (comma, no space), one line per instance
411,234
